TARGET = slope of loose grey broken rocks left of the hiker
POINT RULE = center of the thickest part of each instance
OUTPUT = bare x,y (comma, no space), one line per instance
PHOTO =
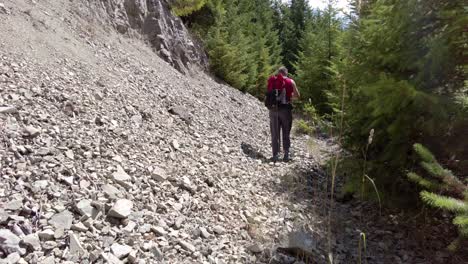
109,155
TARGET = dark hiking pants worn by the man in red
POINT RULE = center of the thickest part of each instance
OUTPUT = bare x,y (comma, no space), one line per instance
280,124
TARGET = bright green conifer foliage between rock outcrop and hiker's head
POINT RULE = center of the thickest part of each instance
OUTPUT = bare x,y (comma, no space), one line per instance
241,42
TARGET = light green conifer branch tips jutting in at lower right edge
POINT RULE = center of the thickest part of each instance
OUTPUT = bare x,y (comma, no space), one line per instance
442,190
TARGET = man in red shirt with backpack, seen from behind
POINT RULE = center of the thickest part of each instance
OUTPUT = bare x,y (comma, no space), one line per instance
281,90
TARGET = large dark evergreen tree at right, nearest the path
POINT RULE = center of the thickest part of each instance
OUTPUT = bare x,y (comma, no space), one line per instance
402,67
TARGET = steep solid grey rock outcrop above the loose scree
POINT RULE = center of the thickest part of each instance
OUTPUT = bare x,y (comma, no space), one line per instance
153,21
